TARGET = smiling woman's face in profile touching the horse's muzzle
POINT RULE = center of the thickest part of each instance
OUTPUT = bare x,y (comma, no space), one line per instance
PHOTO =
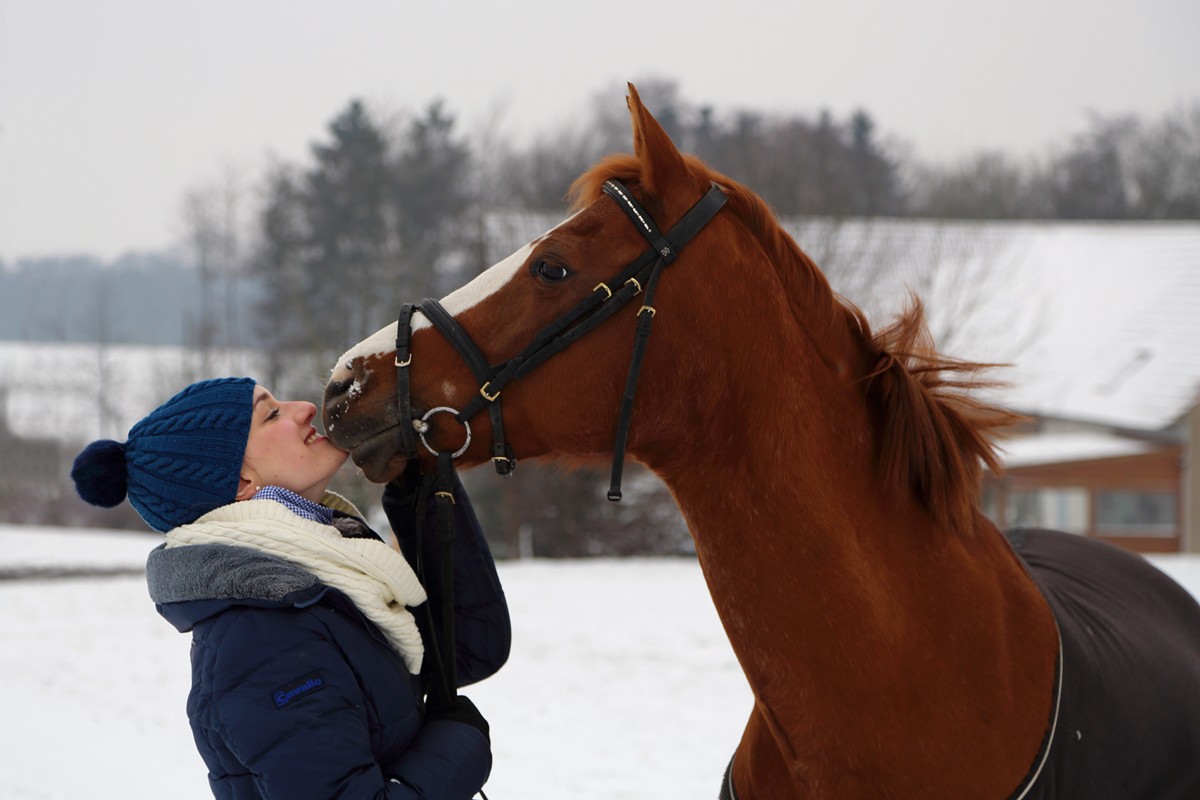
285,450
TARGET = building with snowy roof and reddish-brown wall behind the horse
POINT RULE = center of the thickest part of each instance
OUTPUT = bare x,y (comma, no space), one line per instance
1101,323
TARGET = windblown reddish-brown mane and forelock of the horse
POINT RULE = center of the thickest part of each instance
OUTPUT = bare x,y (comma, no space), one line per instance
933,437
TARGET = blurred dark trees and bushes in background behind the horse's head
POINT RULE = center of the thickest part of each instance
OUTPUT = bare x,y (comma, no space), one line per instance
398,206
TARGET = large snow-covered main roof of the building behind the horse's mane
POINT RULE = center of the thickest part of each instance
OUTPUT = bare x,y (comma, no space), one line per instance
1101,321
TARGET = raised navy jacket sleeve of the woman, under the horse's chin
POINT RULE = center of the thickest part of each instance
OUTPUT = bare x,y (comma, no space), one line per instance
484,633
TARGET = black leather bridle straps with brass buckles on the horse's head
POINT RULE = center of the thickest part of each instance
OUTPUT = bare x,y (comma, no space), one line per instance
641,275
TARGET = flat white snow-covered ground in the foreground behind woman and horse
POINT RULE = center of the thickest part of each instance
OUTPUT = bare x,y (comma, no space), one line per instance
621,683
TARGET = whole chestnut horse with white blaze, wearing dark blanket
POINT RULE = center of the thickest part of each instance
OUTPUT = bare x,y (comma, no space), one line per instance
897,643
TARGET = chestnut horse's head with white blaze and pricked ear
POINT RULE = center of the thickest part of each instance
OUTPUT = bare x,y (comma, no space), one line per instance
568,405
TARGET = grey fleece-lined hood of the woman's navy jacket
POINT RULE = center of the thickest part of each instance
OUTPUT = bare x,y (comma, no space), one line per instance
193,584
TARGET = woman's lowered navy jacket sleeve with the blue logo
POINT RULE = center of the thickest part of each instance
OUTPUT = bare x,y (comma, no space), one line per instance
287,707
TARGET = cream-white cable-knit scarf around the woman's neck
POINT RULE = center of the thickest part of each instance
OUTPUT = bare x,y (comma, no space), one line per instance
375,578
